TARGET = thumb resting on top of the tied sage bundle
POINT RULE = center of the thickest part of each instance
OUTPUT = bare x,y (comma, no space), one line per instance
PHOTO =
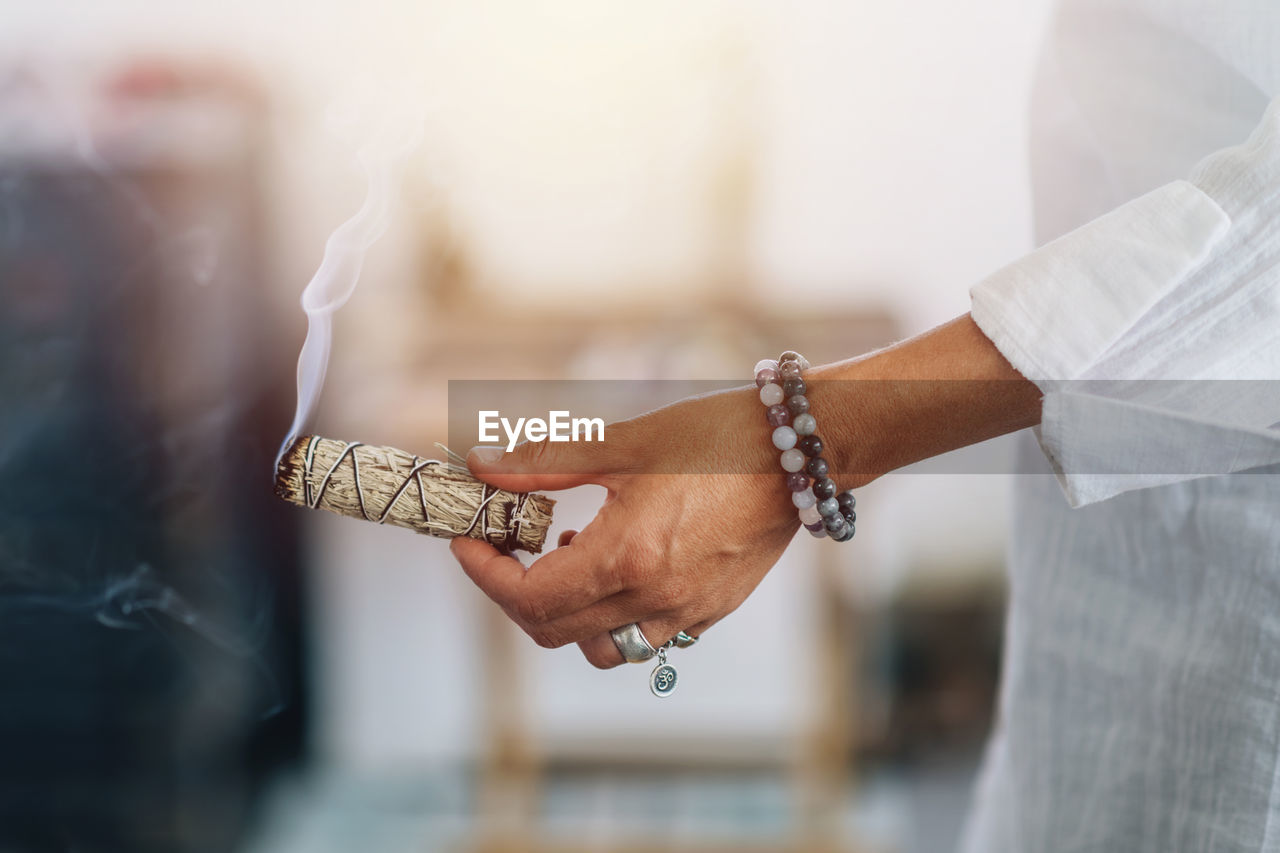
550,466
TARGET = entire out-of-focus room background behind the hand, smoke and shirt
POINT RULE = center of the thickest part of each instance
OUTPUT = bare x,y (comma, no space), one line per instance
604,190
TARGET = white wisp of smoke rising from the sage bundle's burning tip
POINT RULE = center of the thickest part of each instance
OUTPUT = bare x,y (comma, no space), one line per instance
333,284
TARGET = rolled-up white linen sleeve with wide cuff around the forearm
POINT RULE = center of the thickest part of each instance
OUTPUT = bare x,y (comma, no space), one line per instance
1141,326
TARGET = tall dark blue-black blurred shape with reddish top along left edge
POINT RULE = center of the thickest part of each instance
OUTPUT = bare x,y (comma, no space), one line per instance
150,589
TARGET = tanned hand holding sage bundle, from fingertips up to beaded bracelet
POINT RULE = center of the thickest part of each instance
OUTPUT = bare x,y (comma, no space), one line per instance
697,514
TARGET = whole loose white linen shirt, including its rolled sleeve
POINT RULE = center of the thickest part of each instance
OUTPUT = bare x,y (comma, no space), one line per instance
1140,704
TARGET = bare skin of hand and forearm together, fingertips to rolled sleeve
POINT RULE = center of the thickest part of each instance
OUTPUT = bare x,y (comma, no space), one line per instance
697,512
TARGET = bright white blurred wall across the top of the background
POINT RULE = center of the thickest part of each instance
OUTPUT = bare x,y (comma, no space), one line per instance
575,145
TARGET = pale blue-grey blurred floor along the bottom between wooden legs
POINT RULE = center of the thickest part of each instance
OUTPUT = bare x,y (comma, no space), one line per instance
909,809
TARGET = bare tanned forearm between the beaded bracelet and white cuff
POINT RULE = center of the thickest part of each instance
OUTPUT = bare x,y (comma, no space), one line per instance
936,393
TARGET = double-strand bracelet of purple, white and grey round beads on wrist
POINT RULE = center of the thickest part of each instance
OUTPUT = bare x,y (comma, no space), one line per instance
796,434
